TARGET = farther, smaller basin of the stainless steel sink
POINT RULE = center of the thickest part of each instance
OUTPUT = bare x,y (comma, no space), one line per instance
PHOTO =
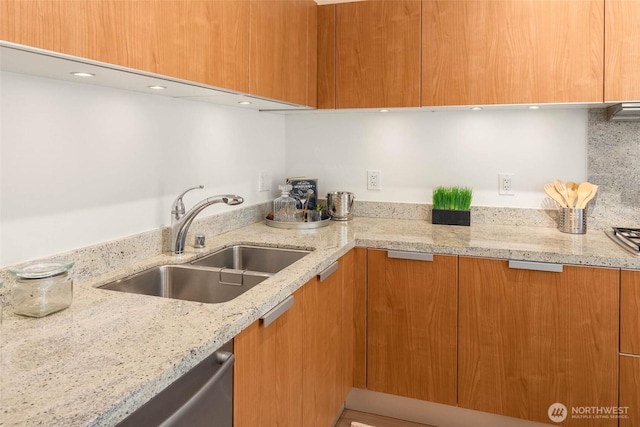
252,258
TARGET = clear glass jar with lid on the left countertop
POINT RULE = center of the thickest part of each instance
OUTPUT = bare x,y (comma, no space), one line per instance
42,288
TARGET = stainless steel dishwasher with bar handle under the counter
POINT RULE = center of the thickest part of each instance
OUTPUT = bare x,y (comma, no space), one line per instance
201,397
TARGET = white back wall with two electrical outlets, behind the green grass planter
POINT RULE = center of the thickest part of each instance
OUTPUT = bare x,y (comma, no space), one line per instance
417,151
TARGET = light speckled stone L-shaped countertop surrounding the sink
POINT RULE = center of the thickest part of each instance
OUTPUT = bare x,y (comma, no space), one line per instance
110,352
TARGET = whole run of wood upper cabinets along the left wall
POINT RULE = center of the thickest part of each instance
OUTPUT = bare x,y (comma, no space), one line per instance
205,41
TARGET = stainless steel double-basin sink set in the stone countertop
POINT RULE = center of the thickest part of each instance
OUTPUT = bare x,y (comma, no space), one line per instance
216,278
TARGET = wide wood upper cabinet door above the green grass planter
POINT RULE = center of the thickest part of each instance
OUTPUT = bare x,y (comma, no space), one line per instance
512,51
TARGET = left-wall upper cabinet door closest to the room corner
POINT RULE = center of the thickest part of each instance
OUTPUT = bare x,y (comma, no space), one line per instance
283,50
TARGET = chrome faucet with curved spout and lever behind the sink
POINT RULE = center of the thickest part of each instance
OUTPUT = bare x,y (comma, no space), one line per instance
181,219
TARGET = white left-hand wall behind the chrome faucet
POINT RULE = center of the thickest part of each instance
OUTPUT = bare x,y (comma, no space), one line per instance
81,164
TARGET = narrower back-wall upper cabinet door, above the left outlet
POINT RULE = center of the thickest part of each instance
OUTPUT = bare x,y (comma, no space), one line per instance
378,54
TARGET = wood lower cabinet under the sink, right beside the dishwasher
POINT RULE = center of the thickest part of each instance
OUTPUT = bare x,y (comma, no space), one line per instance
298,370
